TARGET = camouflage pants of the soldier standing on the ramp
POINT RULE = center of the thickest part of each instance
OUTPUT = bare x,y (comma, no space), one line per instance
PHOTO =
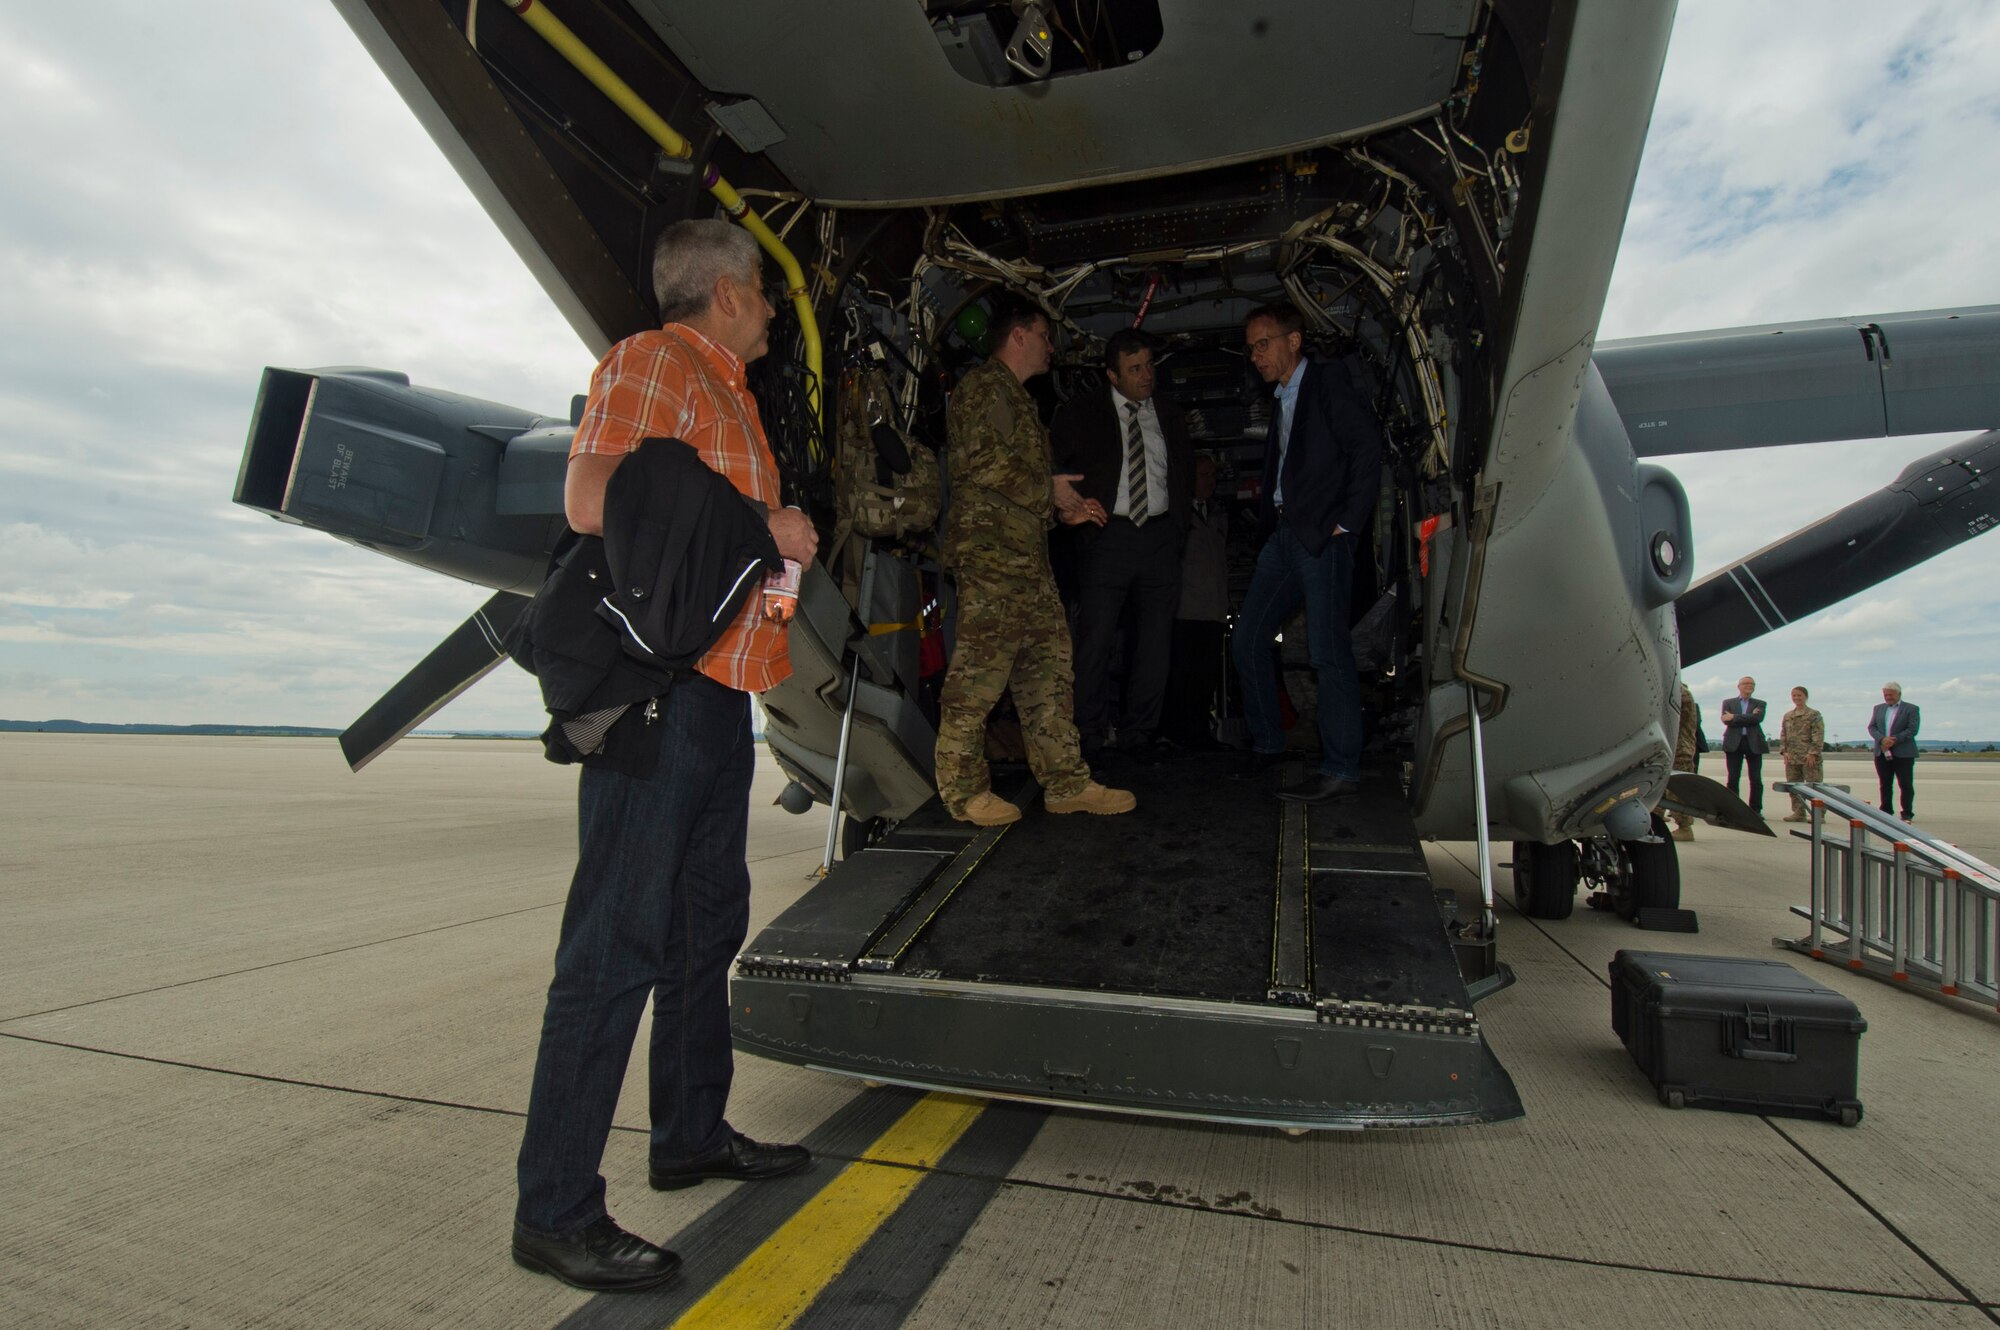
1011,635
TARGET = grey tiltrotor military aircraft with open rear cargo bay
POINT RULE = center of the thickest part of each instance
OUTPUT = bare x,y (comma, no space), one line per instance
1439,187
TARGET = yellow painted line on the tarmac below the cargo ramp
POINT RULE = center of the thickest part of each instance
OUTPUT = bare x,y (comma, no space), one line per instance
781,1279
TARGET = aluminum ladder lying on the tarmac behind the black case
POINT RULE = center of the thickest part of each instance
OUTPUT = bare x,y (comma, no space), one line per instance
1895,903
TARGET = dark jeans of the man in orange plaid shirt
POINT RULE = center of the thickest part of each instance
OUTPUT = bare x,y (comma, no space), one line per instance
657,911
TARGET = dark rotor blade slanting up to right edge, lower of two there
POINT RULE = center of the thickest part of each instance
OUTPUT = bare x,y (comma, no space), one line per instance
1935,505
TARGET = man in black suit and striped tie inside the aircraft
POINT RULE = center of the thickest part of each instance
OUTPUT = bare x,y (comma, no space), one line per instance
1135,459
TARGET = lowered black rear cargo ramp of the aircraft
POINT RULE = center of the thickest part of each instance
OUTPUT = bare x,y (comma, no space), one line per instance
1215,955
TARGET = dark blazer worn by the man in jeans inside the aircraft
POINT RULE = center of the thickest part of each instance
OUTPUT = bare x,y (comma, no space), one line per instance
1333,467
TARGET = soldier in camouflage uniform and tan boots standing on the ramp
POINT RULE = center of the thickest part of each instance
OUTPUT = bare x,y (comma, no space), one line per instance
1011,625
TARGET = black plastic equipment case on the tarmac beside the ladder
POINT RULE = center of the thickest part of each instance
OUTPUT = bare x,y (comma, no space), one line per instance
1741,1035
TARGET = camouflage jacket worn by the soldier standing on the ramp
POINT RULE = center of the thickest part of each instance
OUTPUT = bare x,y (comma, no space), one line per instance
1001,499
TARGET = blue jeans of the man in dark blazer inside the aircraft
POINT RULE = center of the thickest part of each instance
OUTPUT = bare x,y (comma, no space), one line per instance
1285,577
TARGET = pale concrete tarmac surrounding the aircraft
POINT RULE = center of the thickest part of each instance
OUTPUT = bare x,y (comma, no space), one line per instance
267,1033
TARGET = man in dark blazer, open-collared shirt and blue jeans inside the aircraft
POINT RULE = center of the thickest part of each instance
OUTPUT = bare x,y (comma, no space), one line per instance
1323,473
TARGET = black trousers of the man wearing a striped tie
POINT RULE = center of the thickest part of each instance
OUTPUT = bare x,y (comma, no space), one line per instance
1125,565
